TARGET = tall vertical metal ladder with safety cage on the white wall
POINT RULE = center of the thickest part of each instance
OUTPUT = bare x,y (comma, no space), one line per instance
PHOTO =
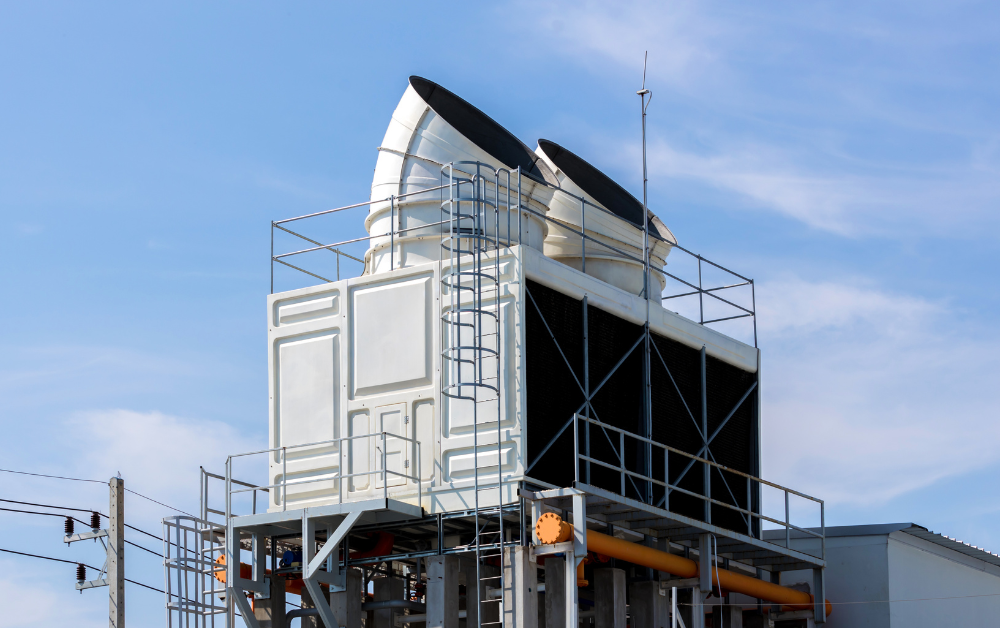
471,344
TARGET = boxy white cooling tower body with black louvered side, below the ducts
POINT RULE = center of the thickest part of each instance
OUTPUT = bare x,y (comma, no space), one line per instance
363,355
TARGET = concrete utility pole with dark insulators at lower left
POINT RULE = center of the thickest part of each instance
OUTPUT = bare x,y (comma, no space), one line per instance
113,573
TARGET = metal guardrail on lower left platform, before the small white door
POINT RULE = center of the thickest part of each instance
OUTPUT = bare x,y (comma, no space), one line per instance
340,476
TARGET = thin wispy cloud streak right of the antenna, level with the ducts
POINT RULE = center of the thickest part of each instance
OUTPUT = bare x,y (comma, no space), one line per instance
908,202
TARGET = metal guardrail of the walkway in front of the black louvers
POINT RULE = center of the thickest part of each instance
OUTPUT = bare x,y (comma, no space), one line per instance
746,513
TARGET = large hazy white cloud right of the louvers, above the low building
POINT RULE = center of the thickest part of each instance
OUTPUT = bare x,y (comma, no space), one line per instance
869,395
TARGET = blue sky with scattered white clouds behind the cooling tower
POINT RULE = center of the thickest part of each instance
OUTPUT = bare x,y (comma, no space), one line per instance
846,155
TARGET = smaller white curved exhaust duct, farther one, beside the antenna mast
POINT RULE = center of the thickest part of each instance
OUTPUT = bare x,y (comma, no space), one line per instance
620,227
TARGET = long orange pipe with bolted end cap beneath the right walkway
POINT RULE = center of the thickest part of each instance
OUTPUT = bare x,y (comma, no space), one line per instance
550,528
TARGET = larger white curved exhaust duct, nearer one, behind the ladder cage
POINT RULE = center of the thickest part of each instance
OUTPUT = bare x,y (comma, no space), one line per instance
432,127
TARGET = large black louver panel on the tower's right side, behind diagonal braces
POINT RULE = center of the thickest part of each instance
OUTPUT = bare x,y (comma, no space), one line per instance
553,395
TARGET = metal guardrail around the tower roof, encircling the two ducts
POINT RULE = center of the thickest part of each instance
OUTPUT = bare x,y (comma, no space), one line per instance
706,292
